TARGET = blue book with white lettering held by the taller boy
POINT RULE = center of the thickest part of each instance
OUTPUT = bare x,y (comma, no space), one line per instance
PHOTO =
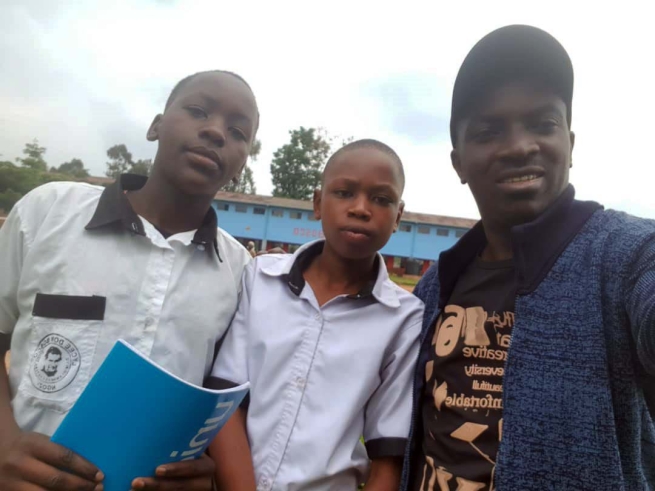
134,416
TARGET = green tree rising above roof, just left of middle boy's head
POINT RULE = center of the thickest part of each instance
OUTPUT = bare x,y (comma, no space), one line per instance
296,167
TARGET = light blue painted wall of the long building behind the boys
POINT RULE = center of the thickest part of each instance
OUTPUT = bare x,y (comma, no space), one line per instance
289,226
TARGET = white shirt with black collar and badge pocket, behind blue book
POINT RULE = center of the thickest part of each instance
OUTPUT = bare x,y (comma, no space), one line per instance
79,270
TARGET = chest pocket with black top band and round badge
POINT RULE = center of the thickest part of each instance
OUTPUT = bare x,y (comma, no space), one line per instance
63,339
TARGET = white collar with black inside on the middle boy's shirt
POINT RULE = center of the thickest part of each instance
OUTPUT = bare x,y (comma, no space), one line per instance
291,269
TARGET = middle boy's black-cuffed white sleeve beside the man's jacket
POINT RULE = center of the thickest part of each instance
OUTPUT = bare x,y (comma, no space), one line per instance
388,412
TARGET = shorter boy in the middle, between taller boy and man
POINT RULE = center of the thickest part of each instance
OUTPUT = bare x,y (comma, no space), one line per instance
328,344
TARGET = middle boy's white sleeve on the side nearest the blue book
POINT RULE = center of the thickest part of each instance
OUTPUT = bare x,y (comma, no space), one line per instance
231,365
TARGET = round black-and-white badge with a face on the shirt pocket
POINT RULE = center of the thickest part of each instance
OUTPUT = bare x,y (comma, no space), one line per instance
54,364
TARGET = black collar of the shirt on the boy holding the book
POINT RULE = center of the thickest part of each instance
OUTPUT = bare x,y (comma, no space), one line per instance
114,208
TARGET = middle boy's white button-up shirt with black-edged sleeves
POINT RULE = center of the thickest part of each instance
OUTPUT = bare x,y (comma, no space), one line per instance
321,377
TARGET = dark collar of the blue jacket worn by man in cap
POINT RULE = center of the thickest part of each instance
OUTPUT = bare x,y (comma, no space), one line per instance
536,245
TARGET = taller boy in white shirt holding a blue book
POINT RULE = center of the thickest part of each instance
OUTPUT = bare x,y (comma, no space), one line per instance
143,260
